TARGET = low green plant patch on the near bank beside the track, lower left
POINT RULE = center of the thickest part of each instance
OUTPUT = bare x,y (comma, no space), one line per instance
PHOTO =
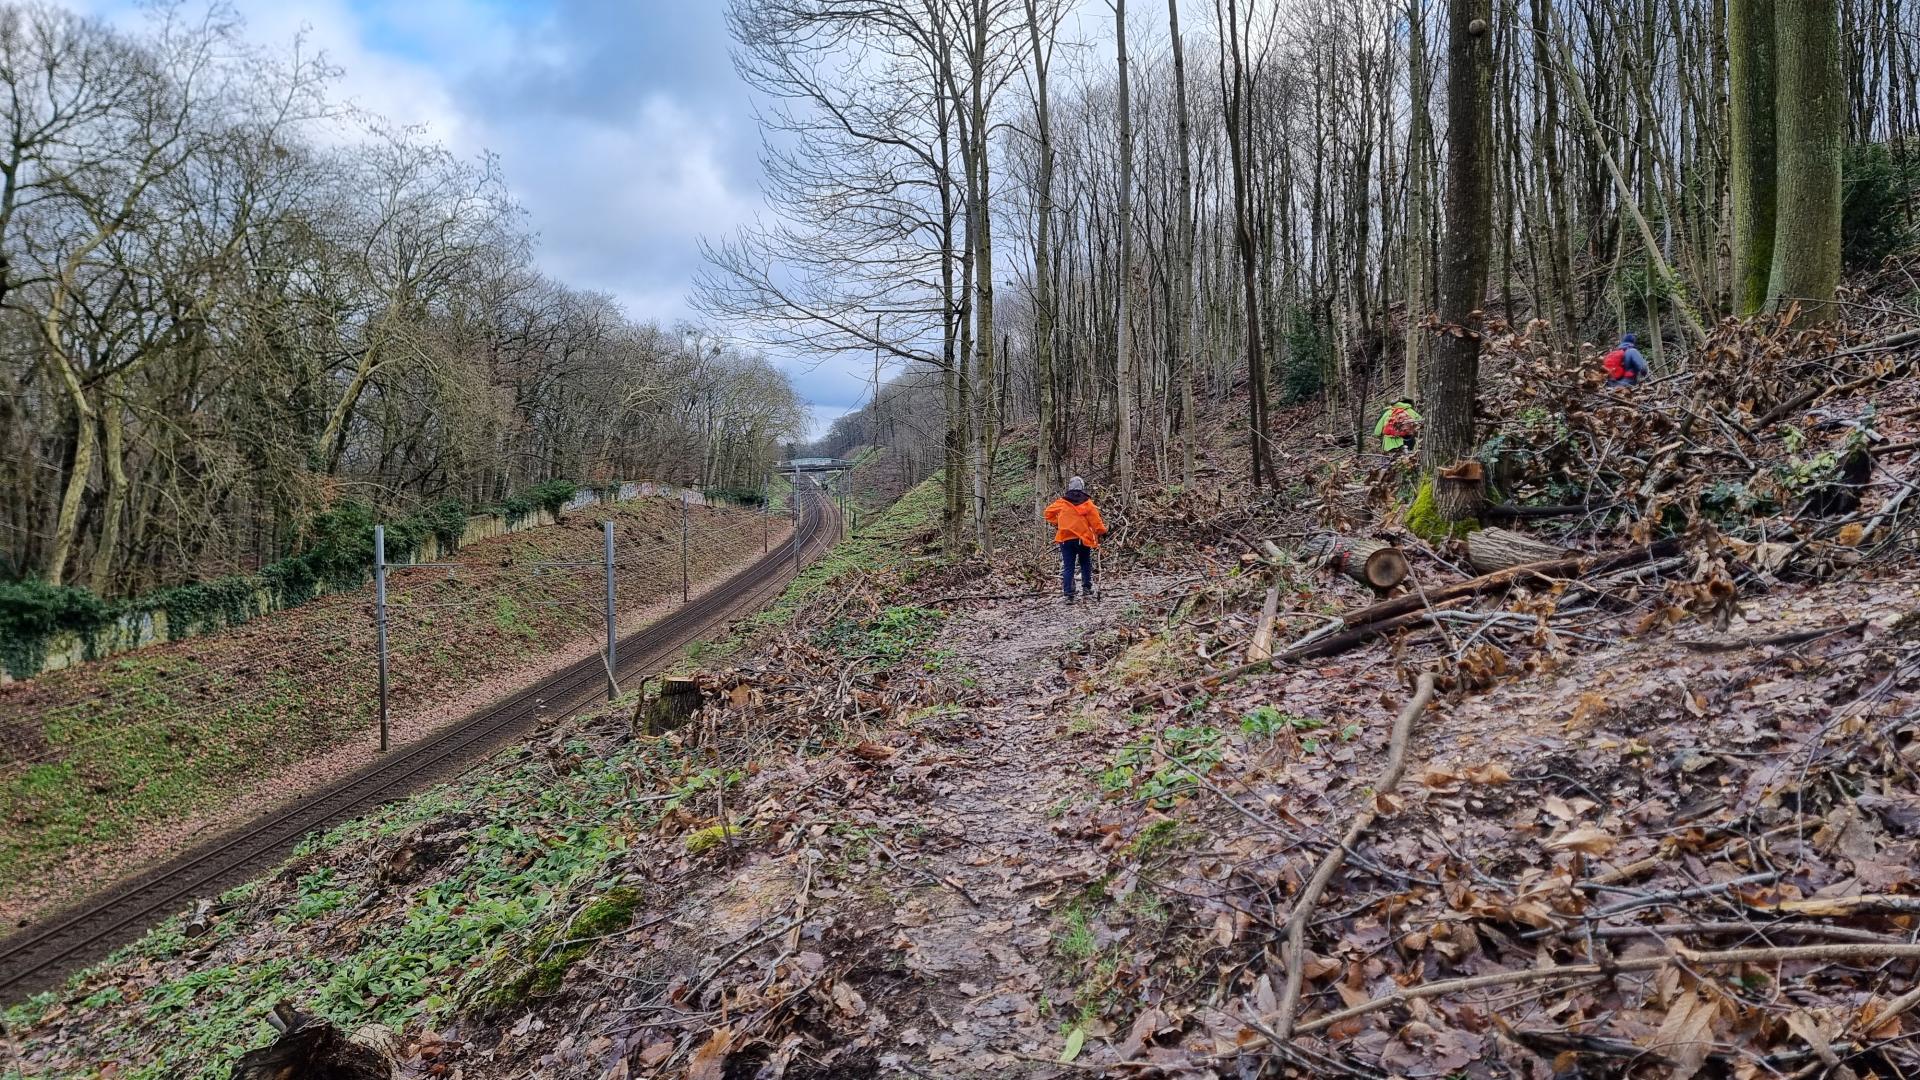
531,883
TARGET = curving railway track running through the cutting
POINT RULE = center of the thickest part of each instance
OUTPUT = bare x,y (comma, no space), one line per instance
45,952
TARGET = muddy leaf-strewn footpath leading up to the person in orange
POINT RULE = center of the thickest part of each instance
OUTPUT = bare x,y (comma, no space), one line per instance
971,918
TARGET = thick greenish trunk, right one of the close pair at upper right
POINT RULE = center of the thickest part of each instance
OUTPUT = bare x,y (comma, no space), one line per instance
1810,107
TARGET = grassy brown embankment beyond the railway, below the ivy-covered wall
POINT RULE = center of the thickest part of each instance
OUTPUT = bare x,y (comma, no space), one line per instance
116,766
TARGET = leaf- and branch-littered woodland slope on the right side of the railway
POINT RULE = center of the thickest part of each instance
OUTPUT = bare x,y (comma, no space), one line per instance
932,822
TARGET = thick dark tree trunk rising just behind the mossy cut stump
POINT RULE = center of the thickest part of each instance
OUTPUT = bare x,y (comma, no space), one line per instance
1466,249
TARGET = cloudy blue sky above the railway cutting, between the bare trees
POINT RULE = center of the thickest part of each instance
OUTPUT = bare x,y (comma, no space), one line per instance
619,124
